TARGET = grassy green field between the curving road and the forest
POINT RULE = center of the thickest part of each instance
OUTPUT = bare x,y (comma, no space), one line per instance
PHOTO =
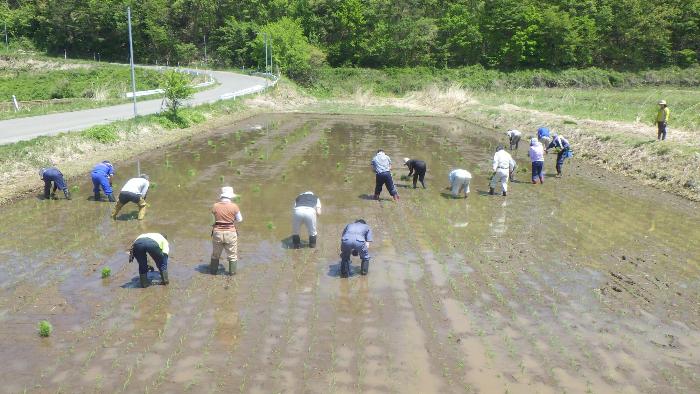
46,85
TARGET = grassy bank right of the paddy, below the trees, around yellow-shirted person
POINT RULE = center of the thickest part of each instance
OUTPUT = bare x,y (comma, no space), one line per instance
608,116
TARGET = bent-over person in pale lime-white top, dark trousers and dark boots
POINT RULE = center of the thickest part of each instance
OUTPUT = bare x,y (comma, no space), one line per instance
154,245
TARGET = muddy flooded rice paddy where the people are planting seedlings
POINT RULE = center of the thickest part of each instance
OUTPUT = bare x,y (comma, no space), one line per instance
583,284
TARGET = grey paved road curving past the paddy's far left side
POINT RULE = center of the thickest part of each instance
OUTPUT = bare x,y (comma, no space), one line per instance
13,130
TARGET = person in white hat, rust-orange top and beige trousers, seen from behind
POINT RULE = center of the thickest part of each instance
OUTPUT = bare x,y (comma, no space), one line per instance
224,235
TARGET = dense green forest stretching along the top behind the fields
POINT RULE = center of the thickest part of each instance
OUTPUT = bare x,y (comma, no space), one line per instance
502,34
